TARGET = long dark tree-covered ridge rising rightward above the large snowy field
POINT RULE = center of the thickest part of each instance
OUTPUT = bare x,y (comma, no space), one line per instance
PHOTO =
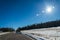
42,25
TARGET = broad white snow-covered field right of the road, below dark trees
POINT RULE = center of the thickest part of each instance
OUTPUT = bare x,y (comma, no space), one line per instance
44,34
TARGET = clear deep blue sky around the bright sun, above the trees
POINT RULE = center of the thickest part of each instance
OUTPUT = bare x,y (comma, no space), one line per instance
19,13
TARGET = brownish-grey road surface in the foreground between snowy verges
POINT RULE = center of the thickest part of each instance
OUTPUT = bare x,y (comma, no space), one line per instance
14,36
